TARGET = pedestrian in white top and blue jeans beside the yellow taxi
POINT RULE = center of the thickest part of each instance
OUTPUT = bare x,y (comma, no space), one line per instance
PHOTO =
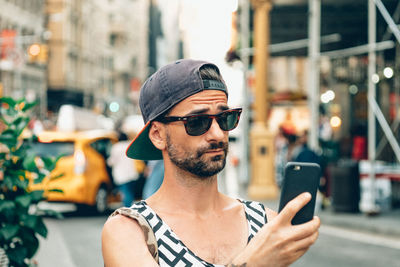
123,170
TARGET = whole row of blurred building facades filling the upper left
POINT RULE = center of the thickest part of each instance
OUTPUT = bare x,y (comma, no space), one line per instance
86,53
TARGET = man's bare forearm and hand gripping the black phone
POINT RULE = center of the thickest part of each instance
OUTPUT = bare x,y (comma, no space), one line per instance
279,243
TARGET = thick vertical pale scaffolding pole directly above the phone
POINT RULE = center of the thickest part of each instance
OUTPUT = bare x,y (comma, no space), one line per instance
314,32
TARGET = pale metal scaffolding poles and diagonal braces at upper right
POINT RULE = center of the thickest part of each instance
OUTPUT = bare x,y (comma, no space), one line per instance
374,111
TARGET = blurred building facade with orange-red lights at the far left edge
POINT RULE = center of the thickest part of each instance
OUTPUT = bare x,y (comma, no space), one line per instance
21,25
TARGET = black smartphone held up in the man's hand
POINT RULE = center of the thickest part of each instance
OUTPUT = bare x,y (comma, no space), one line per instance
300,177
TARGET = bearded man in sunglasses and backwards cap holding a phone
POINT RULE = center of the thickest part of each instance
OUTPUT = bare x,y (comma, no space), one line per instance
184,106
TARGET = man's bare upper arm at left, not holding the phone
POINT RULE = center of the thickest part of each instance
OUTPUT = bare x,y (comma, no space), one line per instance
123,244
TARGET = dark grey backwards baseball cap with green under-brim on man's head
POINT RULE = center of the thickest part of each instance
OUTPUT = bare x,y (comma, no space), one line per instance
164,89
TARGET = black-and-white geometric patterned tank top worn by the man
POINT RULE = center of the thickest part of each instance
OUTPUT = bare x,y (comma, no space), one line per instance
172,251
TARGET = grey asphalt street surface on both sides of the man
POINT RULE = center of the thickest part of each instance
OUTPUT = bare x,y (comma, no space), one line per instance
75,241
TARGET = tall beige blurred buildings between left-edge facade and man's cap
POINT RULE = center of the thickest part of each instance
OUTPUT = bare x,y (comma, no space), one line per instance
98,48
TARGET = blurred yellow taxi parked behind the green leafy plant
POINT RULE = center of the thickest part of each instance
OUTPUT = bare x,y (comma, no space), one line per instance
84,177
